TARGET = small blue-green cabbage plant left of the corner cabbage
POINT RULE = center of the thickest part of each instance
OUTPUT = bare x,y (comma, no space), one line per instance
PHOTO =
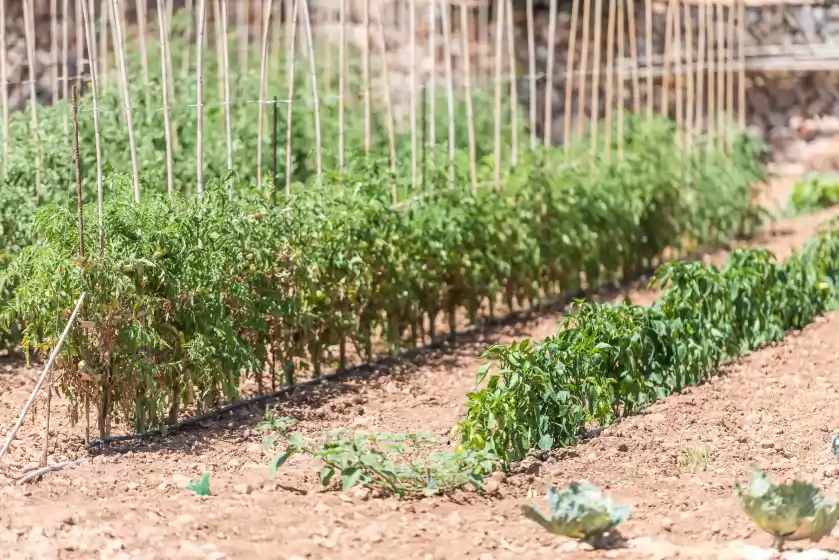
580,511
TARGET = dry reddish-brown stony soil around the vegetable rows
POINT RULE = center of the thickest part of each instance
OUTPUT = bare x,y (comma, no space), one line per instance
775,409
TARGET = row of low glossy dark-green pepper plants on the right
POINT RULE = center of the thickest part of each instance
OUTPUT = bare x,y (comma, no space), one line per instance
607,361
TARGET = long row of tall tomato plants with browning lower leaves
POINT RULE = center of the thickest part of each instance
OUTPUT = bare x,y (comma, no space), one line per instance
188,296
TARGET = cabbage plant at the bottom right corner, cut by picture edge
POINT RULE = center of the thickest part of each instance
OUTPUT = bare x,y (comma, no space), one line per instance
788,512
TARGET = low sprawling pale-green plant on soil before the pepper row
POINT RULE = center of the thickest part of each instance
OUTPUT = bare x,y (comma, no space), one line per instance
393,464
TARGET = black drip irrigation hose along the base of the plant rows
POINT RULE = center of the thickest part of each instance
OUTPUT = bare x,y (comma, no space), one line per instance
510,318
